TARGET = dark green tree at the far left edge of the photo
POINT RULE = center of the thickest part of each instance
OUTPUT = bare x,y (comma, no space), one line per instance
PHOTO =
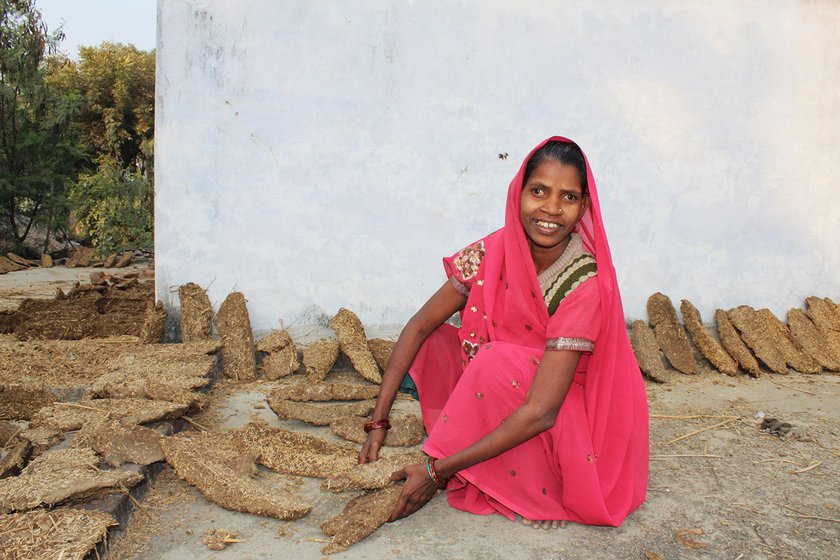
38,154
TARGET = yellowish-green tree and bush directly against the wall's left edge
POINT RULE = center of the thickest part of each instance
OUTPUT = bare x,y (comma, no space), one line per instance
114,200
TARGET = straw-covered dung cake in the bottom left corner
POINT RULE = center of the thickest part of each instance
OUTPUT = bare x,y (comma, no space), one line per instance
69,534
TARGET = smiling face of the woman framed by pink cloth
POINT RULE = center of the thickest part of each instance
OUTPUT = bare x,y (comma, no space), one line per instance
552,204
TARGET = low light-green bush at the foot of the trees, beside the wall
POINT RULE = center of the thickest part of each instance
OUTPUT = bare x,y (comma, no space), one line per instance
114,206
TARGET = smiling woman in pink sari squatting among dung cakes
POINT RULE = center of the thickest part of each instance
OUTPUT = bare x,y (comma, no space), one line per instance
535,406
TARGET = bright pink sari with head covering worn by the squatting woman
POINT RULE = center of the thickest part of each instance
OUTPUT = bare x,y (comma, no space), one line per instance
592,466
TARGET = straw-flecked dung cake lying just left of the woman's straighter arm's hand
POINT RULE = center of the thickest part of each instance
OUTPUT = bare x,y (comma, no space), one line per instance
294,453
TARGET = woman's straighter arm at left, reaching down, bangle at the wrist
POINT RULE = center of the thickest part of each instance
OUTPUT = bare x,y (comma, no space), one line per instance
438,309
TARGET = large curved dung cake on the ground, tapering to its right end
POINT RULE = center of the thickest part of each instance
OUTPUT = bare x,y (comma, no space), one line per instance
222,470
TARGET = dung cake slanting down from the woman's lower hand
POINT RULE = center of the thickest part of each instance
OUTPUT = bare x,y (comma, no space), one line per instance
361,517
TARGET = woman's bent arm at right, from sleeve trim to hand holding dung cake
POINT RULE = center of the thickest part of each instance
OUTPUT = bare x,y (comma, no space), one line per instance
537,414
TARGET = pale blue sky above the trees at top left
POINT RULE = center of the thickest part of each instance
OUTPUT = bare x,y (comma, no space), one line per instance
90,22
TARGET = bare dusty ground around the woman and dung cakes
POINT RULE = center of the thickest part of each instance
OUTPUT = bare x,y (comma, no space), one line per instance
720,487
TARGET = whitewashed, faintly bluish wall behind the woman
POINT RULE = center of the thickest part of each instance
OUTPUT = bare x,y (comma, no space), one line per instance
321,154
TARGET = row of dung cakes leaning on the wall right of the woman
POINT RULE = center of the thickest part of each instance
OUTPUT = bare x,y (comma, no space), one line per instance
748,340
